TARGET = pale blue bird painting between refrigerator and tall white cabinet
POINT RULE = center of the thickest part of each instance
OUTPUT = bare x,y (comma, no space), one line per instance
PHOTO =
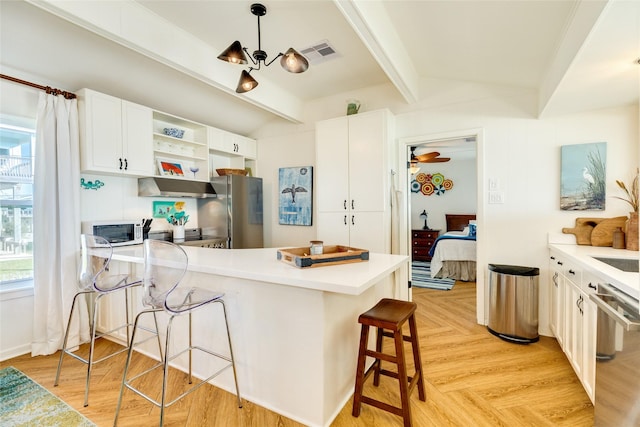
295,195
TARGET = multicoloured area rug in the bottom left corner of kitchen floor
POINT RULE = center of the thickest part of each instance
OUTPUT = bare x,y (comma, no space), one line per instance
24,402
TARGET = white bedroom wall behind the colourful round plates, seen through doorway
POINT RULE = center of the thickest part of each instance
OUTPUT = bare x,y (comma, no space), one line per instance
461,199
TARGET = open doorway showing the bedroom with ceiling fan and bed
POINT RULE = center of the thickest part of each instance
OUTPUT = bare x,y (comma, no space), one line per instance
443,188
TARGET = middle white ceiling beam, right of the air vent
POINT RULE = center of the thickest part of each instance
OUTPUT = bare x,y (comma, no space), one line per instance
371,23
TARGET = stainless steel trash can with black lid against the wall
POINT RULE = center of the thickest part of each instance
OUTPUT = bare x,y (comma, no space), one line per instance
513,303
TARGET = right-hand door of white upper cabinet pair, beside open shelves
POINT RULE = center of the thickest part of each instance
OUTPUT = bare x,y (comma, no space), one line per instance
137,139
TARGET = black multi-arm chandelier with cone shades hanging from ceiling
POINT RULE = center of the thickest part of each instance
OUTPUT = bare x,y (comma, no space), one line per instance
291,60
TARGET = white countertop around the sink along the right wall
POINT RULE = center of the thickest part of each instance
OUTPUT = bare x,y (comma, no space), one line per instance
583,255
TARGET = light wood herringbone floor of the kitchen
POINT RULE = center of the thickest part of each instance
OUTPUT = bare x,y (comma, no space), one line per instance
472,379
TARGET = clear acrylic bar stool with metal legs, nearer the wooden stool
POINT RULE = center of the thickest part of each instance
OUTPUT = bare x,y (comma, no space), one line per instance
165,264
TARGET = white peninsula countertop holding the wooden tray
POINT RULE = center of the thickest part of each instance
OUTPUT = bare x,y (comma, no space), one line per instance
262,265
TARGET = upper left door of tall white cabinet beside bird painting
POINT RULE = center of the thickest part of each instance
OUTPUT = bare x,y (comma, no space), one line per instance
332,165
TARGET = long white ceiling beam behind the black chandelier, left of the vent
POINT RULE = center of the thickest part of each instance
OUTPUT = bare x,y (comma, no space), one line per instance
128,23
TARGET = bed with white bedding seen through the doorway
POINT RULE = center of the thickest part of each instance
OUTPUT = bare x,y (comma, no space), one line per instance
454,252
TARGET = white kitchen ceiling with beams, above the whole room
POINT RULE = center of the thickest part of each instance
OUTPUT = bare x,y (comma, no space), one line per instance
579,55
